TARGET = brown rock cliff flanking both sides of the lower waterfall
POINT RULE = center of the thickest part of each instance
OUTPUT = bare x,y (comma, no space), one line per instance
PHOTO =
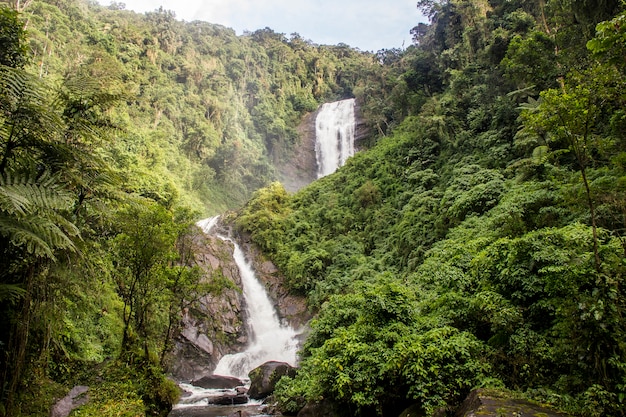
216,327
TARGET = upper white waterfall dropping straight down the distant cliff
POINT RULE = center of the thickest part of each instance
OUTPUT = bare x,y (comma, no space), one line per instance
334,135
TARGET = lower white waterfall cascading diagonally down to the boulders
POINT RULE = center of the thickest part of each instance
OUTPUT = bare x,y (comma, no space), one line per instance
270,340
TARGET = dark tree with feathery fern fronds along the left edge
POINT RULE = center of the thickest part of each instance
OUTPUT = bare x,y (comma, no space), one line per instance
33,201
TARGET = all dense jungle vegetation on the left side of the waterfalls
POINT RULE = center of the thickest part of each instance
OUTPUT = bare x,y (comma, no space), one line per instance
117,132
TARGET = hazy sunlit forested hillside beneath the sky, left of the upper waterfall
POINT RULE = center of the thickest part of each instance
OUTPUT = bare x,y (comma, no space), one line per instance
202,115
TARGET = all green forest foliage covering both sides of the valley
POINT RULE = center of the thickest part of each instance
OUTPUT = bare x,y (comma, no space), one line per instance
468,247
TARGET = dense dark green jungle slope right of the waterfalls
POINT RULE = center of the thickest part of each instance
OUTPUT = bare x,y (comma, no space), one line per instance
482,241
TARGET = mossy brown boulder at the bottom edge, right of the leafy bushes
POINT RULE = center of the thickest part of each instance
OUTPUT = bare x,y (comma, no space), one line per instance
491,403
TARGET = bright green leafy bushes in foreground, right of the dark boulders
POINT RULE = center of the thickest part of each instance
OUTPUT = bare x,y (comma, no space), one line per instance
368,353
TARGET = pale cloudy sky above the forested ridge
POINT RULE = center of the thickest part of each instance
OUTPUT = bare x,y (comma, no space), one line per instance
369,25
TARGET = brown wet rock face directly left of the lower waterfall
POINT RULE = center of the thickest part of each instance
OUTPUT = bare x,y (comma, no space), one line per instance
216,325
